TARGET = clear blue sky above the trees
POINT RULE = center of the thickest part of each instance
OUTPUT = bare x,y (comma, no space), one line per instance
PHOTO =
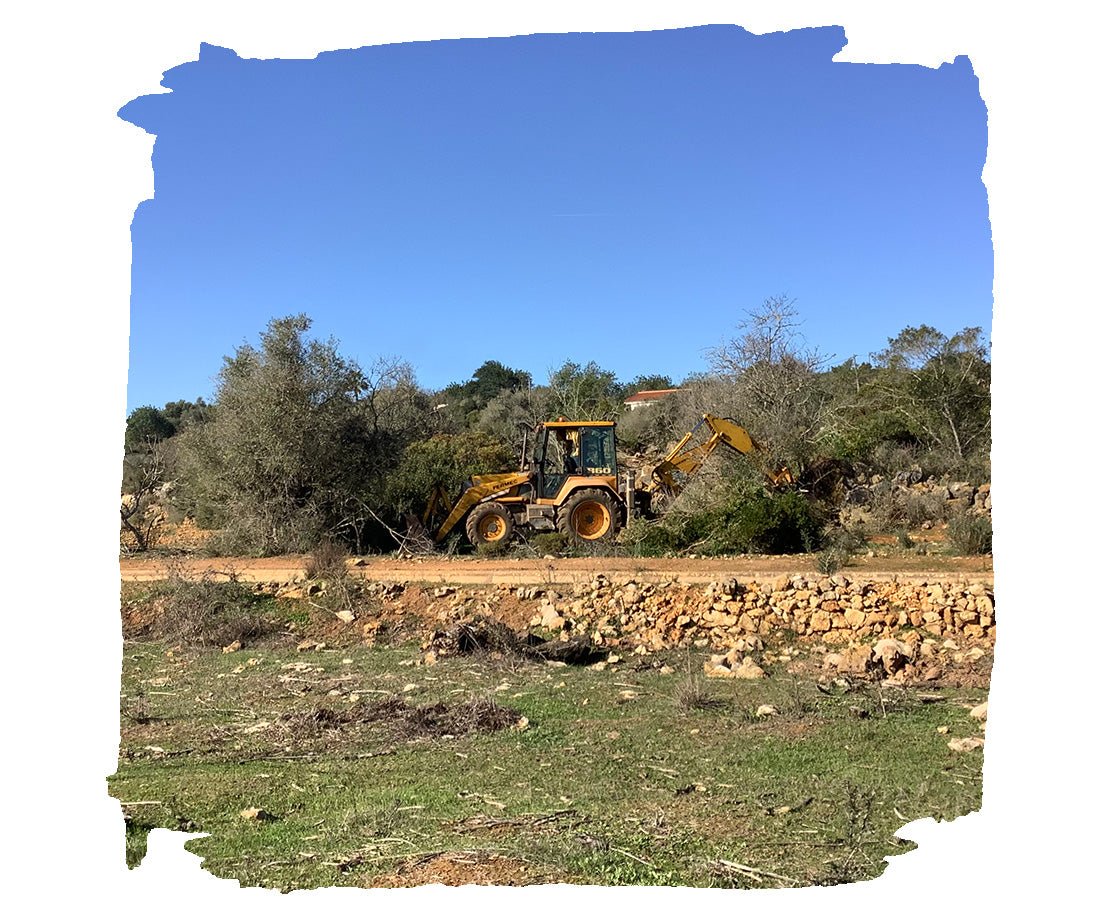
613,198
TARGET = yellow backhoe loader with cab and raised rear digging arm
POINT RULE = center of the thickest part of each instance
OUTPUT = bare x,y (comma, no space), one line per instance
571,484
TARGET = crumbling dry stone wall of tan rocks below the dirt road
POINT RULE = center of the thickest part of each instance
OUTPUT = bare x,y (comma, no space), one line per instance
852,626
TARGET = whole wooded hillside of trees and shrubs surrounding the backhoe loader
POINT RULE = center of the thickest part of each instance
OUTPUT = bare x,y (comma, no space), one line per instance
302,445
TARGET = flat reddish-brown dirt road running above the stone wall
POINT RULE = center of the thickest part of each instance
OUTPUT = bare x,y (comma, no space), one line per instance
521,572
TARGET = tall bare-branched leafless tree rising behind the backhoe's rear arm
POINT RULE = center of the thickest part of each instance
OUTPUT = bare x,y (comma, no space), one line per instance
776,387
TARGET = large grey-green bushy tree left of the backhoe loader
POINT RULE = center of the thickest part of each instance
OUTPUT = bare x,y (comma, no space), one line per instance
294,440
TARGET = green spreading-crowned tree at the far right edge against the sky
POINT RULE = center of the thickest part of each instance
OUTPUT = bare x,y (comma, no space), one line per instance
941,386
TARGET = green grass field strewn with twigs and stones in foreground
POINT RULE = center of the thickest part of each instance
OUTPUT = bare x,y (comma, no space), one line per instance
372,769
